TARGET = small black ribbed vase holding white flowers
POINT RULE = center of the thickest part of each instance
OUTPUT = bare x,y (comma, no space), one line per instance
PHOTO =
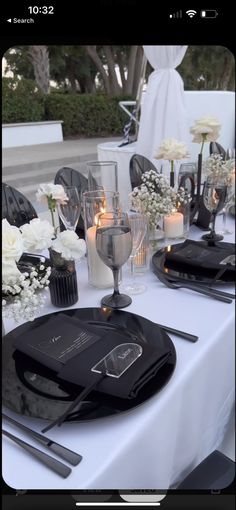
63,281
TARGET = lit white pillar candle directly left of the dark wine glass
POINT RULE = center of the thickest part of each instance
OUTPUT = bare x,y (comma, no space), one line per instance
100,274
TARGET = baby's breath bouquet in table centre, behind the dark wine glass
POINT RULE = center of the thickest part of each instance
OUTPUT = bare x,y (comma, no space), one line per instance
155,197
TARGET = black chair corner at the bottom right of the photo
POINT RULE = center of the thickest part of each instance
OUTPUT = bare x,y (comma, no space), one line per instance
215,472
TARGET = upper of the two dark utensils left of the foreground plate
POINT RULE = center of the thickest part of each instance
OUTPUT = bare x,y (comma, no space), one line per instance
66,454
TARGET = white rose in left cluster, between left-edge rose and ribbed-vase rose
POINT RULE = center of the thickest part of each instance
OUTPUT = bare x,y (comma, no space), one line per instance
37,235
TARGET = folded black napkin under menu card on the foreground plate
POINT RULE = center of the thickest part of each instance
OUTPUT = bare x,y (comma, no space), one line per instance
71,348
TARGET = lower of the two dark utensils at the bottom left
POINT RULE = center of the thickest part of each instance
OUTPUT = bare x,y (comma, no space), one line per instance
56,466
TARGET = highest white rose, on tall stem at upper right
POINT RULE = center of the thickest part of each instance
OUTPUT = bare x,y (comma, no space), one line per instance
208,126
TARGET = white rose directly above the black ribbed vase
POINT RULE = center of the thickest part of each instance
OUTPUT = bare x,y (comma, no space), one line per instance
69,245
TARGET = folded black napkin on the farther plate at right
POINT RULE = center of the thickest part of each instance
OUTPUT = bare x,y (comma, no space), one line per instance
197,257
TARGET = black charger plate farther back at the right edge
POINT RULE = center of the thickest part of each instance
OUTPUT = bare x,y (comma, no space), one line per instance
194,275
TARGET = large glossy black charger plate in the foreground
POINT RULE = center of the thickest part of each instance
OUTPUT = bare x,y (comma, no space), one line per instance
30,389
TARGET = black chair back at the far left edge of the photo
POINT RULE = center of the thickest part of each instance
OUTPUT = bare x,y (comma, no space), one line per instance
16,208
